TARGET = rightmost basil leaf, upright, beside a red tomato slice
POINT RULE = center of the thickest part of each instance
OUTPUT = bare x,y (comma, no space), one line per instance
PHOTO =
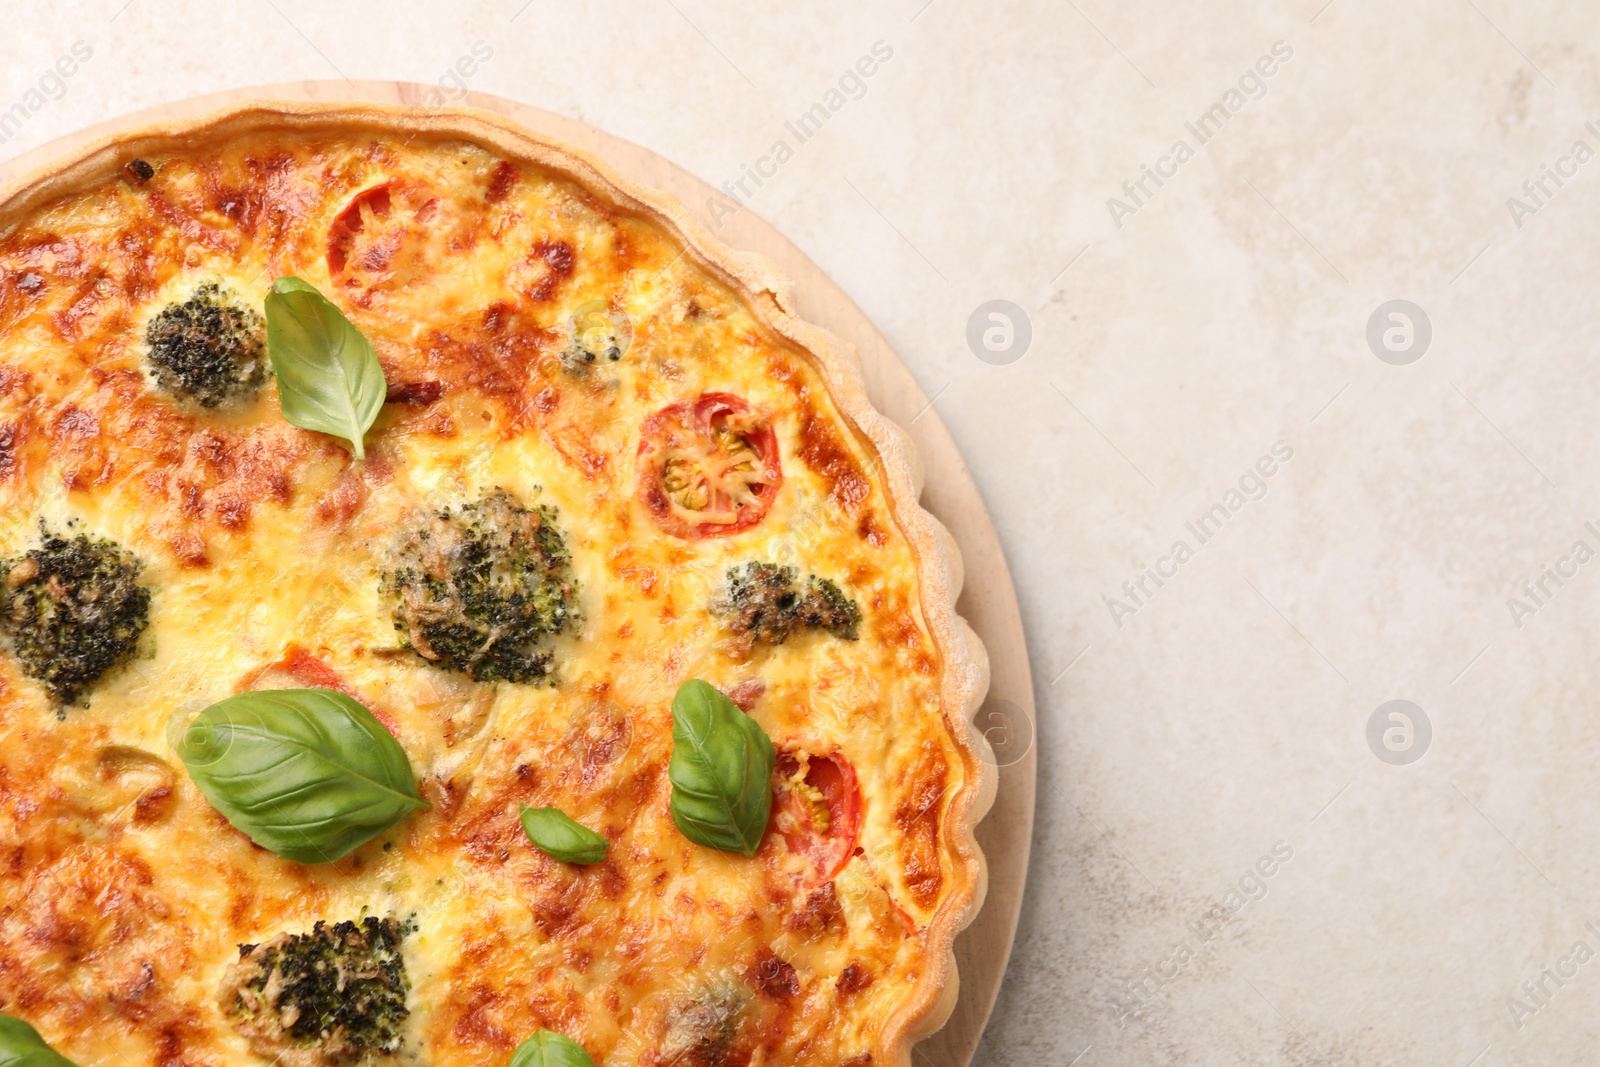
721,770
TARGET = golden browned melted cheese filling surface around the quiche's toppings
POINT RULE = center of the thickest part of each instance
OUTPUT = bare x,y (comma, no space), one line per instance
124,895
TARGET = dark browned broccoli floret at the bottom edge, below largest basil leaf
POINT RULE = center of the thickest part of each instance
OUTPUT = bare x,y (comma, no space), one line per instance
326,997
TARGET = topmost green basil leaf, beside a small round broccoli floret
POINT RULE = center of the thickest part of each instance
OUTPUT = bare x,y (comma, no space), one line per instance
329,375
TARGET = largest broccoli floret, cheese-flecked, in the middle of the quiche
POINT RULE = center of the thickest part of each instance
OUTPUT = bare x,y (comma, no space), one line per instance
484,589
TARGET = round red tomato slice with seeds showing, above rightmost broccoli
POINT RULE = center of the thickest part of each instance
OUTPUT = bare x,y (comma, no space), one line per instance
708,468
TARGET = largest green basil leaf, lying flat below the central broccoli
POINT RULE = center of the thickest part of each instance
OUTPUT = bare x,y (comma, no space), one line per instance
308,775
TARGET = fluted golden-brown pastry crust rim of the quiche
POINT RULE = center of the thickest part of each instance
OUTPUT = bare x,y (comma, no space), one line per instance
964,665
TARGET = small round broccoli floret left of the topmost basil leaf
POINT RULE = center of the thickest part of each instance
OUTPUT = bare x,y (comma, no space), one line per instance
207,350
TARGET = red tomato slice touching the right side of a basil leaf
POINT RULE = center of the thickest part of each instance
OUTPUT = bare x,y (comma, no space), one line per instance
818,809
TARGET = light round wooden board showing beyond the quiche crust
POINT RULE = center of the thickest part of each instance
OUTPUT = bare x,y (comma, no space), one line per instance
988,602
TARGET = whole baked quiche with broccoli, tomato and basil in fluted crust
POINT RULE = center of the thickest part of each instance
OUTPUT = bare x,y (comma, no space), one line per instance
599,695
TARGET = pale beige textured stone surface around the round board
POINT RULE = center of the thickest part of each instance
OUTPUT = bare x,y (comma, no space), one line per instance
1226,713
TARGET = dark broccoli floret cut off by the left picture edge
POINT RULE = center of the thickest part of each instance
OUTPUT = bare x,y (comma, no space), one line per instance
74,610
